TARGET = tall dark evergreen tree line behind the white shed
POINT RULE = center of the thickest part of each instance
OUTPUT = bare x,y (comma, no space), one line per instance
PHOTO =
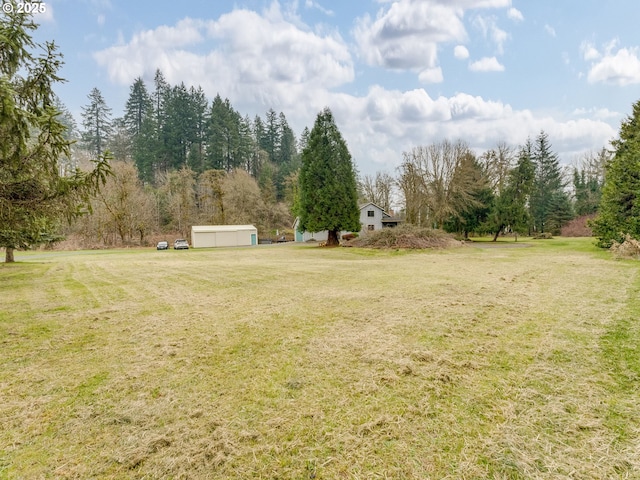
171,127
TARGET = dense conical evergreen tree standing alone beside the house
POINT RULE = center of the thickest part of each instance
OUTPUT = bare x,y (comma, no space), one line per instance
328,187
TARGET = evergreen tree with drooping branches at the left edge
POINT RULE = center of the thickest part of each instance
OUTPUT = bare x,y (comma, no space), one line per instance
34,195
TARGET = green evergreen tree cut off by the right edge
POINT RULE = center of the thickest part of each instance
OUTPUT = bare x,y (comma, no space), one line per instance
619,212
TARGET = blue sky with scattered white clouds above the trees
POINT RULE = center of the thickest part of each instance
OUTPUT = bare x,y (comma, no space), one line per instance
395,74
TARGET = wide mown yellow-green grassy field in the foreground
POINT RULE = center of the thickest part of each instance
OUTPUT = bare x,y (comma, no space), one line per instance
298,362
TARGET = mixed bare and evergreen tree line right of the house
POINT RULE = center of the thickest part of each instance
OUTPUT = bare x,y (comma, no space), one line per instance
521,190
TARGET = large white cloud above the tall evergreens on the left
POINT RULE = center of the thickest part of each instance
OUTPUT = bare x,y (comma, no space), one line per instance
261,55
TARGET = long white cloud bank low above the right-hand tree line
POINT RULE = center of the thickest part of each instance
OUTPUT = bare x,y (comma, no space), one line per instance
380,126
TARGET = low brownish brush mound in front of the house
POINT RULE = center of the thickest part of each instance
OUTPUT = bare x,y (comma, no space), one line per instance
405,236
